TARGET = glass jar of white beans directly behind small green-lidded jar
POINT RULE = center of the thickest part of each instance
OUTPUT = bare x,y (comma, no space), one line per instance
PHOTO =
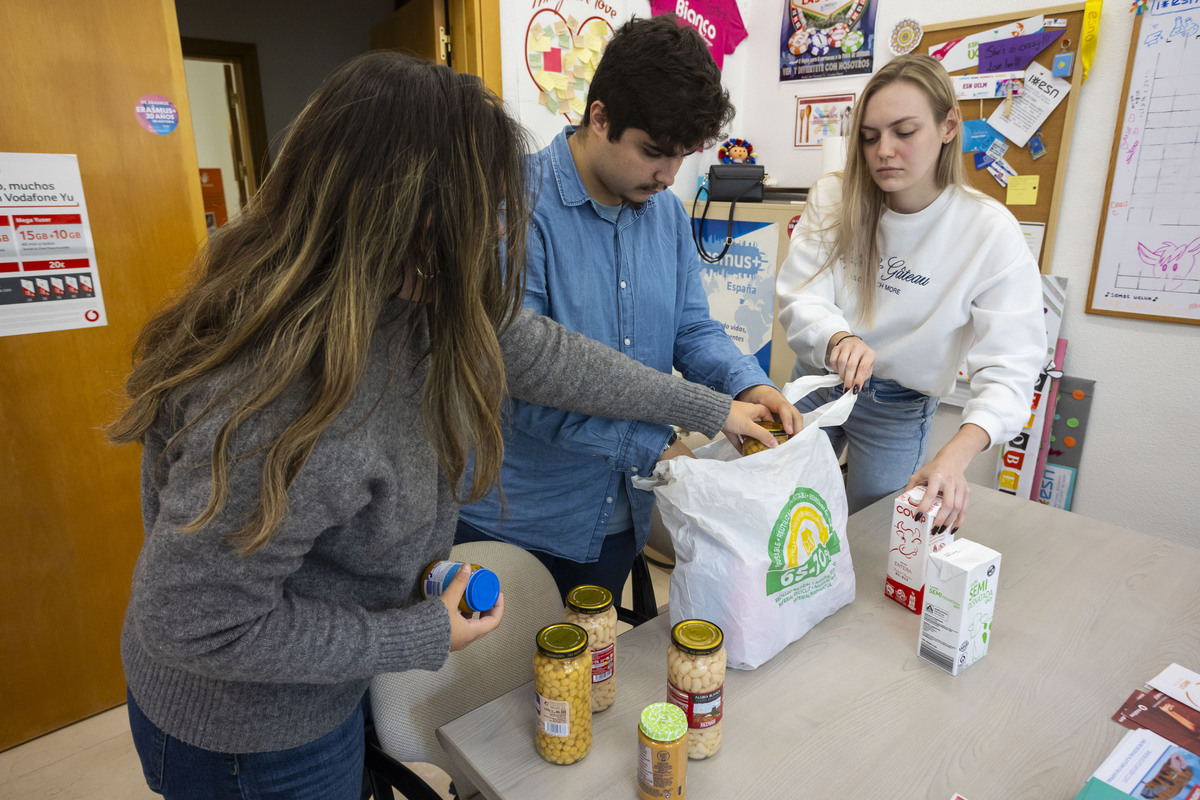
697,682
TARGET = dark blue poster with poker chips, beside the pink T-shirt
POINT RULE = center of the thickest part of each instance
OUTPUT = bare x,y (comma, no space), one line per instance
826,39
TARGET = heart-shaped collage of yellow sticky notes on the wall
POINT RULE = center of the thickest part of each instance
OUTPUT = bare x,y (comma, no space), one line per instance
562,56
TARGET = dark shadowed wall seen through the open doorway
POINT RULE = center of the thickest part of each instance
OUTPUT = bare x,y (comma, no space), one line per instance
299,43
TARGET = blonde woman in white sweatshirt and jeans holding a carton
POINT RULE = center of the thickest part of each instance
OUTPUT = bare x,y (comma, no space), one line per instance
896,269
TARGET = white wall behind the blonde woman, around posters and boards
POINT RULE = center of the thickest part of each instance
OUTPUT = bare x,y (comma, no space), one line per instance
1143,446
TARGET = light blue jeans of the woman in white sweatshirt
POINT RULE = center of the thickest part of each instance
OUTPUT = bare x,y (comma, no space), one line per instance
887,434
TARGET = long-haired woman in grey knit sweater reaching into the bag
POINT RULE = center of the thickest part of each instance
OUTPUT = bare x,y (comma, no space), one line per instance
307,411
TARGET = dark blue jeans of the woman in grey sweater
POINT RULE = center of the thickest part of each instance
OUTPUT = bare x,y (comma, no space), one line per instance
329,768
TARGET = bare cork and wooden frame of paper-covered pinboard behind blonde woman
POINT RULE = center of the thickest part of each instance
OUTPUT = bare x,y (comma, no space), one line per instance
1057,131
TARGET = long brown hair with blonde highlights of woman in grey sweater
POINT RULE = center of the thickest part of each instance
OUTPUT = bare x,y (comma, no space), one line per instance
393,181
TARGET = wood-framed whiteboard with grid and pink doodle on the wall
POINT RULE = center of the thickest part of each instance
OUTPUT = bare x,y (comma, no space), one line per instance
1148,251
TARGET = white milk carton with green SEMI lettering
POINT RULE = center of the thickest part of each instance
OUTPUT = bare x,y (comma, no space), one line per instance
961,596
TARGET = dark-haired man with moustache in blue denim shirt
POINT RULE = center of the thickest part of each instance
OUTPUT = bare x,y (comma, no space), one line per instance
610,255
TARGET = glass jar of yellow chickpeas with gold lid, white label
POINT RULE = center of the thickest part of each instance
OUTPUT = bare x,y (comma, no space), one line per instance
562,671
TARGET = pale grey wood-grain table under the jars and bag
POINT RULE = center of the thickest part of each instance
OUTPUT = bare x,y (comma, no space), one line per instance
1087,613
